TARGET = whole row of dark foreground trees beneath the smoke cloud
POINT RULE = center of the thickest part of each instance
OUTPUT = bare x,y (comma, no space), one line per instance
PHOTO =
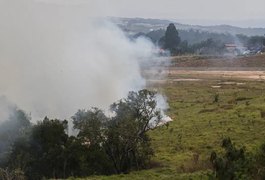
103,145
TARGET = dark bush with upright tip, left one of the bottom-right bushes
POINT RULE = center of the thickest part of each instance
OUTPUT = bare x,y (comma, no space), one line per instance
232,165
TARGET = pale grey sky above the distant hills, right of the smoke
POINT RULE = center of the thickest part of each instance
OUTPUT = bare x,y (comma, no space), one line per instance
201,11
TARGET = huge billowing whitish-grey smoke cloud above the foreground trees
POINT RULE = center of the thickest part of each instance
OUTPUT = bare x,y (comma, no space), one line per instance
57,57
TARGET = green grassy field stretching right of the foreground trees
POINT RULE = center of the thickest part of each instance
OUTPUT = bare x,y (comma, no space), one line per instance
199,124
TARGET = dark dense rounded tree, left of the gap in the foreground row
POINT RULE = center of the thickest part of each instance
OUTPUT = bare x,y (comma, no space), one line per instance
48,142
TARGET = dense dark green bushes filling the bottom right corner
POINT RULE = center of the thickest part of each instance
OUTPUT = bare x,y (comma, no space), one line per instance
236,163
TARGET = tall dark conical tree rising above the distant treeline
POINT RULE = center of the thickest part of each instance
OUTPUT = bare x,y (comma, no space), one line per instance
171,40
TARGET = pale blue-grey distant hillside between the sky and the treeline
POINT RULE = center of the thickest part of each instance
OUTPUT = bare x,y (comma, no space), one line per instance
136,25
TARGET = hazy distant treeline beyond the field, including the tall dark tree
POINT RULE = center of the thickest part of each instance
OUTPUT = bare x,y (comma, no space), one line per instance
201,42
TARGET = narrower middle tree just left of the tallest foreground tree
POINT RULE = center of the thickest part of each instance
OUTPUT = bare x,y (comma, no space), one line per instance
91,125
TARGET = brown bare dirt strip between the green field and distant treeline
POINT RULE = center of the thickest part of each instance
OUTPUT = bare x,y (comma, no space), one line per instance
194,68
